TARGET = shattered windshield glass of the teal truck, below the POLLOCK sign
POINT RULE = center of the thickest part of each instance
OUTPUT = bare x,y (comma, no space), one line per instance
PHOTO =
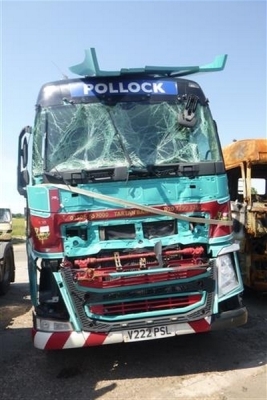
133,134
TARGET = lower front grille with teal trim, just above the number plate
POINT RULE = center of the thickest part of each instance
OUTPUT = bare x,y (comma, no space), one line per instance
104,310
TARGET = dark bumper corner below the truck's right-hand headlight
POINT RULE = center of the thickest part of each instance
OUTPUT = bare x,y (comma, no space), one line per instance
229,319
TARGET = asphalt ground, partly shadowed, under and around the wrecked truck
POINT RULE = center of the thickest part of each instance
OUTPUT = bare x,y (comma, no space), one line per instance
222,365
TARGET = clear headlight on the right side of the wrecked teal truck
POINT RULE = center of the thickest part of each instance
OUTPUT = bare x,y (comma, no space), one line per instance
227,280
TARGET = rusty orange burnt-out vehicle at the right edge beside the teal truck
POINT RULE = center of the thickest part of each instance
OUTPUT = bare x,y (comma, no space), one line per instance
246,165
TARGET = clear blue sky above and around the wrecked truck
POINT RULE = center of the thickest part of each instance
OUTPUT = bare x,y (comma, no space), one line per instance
40,40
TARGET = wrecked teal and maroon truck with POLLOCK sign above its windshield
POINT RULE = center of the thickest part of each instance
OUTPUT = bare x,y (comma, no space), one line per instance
129,230
